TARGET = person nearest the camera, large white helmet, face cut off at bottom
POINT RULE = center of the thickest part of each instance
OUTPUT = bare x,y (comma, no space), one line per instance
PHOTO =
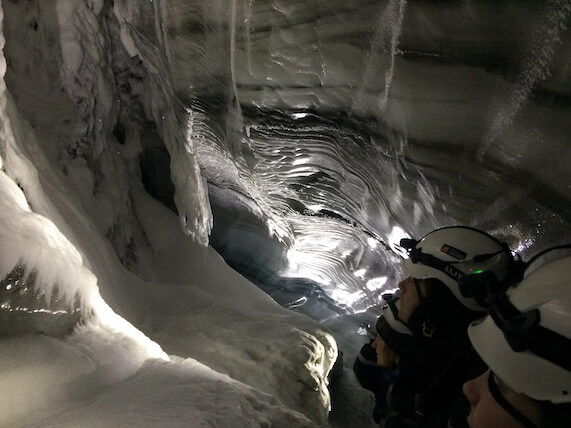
526,342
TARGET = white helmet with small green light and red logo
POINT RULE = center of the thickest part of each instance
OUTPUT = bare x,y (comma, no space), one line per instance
452,253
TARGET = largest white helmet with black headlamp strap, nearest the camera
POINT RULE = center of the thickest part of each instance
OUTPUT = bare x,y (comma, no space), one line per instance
526,339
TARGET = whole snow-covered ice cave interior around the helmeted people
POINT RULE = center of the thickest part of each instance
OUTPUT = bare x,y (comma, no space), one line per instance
202,200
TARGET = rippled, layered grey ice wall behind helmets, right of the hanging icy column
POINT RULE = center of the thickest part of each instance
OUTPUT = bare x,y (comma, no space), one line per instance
343,126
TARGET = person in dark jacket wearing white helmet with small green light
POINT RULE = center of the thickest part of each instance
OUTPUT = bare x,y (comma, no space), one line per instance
427,392
